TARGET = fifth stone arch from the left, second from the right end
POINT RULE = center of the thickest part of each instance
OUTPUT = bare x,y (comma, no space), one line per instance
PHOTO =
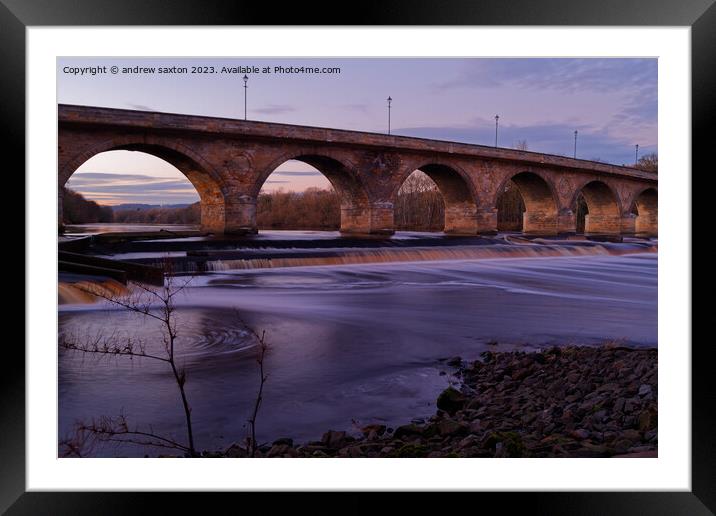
603,208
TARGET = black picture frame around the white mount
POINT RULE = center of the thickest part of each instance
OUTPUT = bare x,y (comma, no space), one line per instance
17,15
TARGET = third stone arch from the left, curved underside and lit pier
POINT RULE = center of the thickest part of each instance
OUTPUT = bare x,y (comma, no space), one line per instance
457,190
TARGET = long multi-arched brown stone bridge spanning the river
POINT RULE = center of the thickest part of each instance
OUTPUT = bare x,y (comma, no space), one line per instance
229,160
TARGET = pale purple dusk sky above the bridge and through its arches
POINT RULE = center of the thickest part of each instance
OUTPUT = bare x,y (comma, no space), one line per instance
611,102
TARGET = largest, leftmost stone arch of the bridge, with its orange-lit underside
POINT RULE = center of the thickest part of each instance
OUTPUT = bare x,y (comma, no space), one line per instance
200,174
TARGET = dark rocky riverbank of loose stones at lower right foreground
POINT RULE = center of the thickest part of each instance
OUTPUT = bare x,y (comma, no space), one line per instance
575,401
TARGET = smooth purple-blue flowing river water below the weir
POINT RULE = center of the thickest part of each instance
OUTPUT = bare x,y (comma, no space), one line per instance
351,343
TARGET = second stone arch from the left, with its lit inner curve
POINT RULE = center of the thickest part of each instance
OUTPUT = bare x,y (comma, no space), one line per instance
354,200
